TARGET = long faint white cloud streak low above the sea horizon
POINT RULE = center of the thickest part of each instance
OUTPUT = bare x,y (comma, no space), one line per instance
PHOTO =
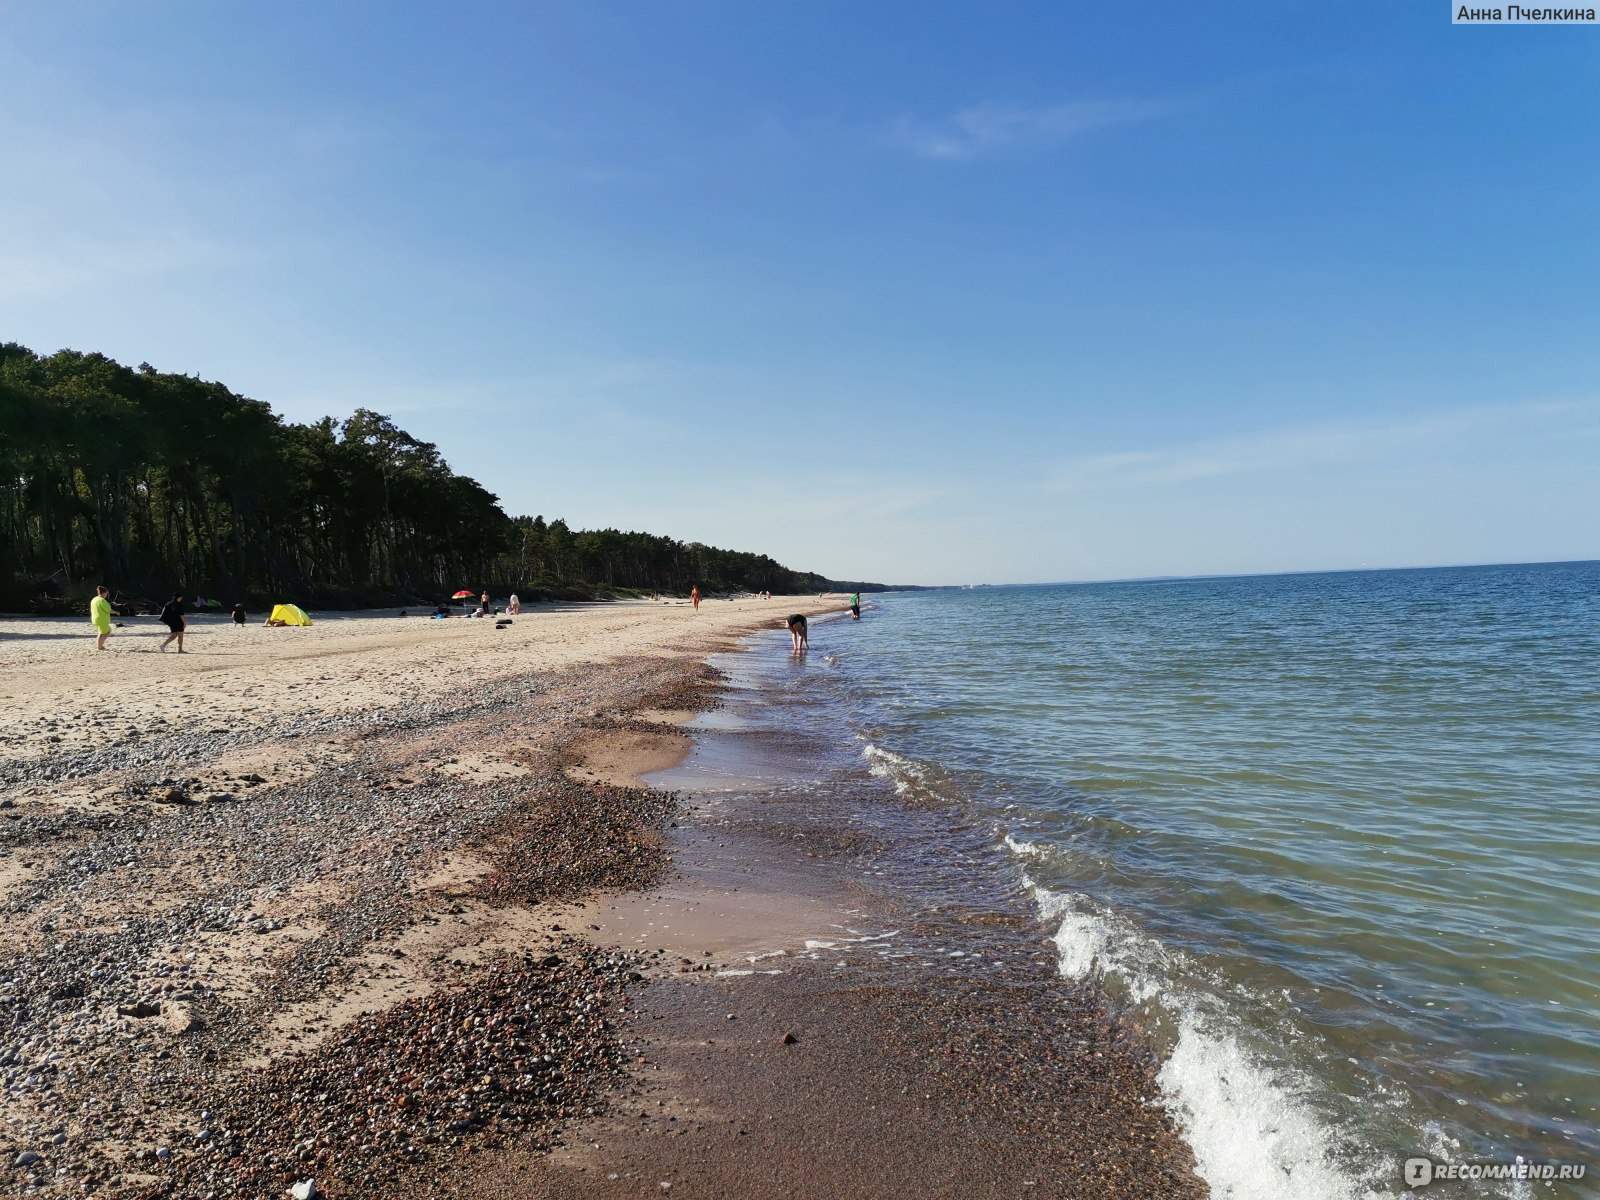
1308,447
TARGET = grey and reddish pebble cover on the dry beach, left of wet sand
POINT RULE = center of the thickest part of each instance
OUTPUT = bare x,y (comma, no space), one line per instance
108,998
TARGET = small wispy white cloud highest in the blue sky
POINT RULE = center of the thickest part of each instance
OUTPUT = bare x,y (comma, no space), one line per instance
993,129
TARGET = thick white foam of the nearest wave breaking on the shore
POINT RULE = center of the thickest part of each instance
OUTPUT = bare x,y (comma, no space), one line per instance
1254,1134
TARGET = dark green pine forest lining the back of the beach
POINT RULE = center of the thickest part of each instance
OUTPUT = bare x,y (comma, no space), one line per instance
154,484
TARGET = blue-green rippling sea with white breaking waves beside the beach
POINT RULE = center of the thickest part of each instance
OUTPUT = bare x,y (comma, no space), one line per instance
1330,842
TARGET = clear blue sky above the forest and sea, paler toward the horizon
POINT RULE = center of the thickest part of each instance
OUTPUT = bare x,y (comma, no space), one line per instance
922,294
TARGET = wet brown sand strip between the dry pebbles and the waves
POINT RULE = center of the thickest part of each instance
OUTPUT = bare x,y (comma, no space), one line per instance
804,1047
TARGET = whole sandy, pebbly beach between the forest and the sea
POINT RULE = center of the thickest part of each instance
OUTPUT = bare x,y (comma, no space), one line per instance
383,905
